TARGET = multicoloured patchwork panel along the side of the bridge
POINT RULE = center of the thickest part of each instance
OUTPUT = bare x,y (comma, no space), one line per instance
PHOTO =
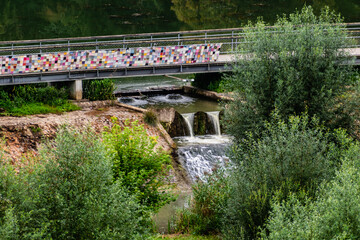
102,59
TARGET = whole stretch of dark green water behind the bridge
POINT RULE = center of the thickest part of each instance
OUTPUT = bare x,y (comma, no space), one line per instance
36,19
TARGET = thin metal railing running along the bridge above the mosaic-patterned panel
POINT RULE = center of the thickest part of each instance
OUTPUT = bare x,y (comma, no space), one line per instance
230,38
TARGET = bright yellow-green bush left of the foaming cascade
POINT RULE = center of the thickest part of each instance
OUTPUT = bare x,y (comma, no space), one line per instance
136,163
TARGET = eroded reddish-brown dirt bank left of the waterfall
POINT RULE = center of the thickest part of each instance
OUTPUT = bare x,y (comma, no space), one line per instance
25,134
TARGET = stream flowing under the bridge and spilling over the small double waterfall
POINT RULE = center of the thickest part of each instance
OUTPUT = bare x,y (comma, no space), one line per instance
198,154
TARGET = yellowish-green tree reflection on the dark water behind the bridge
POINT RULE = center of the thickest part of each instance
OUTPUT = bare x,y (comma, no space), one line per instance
201,14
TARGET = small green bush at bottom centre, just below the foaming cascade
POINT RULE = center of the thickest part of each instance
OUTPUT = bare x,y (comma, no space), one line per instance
206,209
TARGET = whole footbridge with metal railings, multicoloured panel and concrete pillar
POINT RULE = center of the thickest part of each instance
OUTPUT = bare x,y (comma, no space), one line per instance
115,56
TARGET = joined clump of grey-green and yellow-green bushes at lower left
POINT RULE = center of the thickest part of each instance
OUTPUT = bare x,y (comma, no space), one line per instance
79,187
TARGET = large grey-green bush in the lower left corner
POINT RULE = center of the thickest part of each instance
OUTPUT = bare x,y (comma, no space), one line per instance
70,194
